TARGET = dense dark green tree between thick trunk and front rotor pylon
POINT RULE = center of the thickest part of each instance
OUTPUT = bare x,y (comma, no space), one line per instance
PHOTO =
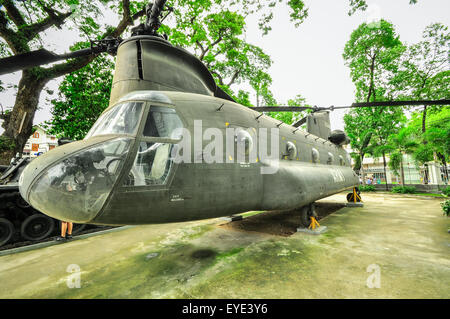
83,96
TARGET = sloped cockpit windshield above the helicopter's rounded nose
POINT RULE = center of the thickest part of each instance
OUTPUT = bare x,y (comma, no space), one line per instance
121,119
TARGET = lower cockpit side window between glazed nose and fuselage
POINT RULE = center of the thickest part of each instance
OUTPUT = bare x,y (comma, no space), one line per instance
151,165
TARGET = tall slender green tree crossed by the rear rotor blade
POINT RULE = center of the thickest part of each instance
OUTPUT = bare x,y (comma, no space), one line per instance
372,53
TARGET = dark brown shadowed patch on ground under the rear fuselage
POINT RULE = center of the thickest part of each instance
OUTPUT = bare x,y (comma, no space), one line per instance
281,223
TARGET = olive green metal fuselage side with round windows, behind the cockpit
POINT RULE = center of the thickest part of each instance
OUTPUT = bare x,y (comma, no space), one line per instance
202,190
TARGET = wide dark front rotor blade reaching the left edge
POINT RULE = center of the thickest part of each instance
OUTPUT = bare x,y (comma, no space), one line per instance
36,58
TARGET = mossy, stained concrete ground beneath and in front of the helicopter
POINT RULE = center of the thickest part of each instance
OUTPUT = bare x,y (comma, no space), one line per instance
399,246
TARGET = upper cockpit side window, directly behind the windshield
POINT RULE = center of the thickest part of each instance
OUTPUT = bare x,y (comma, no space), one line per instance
162,122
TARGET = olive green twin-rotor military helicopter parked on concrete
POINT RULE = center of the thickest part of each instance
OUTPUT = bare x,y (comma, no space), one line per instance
126,172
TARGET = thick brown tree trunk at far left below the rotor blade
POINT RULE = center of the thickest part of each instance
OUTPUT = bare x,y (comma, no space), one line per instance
18,126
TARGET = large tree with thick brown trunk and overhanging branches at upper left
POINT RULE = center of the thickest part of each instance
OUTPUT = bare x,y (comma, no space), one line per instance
23,24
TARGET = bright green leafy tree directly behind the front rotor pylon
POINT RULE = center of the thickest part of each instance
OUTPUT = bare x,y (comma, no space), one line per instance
217,38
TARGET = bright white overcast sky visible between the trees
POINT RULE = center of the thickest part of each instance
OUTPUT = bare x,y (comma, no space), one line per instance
307,60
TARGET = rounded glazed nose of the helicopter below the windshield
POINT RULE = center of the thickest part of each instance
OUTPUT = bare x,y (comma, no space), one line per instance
75,188
